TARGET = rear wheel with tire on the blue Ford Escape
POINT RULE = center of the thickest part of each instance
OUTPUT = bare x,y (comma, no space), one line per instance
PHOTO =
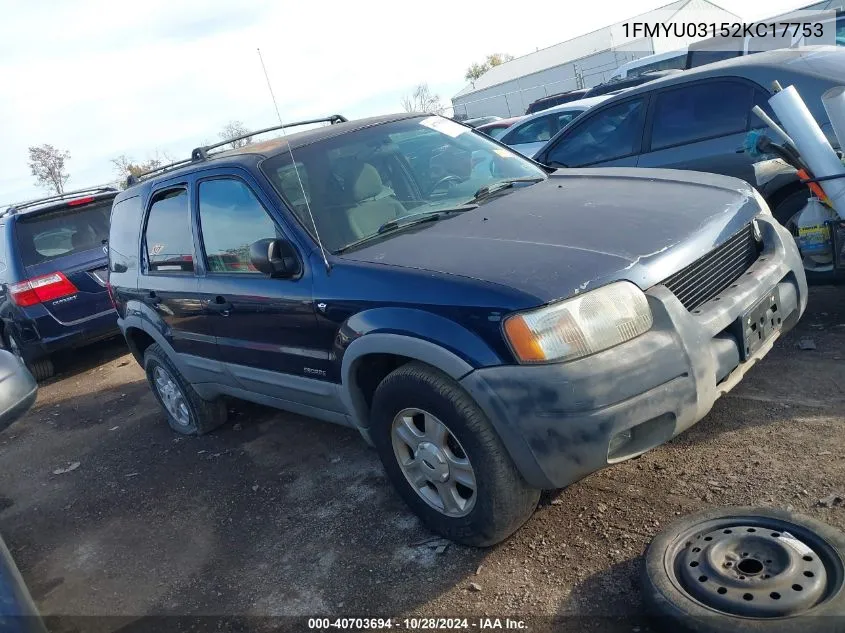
187,413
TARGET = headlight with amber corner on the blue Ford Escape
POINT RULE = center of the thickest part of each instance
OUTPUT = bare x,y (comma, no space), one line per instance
580,326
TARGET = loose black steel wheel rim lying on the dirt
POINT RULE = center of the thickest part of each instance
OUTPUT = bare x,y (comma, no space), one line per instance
754,567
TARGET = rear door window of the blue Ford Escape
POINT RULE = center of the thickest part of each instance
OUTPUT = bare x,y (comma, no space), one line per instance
168,239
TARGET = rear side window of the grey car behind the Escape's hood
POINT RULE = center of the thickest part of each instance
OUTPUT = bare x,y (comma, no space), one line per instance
694,113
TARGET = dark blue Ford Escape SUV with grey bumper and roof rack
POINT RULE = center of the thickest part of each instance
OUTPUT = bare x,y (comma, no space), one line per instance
492,332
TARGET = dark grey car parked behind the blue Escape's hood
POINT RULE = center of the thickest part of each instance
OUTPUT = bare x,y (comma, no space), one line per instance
699,119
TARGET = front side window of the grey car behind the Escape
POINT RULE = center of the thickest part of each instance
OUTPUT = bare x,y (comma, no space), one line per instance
610,133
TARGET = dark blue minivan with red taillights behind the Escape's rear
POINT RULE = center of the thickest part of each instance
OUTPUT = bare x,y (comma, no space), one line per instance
53,269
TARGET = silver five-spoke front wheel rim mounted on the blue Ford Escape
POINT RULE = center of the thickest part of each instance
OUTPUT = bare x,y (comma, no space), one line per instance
433,462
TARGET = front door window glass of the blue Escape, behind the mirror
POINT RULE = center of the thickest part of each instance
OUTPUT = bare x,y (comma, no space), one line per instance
231,218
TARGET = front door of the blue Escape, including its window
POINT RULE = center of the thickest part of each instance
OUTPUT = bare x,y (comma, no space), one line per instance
266,328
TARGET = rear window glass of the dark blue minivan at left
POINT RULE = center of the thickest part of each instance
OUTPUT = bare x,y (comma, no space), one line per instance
46,236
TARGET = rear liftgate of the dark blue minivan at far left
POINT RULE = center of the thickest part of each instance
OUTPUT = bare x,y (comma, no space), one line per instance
69,241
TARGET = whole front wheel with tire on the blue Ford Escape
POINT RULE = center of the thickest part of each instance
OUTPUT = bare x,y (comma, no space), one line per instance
446,460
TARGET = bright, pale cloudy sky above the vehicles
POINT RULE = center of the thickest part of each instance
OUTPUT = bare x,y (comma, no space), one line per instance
100,80
